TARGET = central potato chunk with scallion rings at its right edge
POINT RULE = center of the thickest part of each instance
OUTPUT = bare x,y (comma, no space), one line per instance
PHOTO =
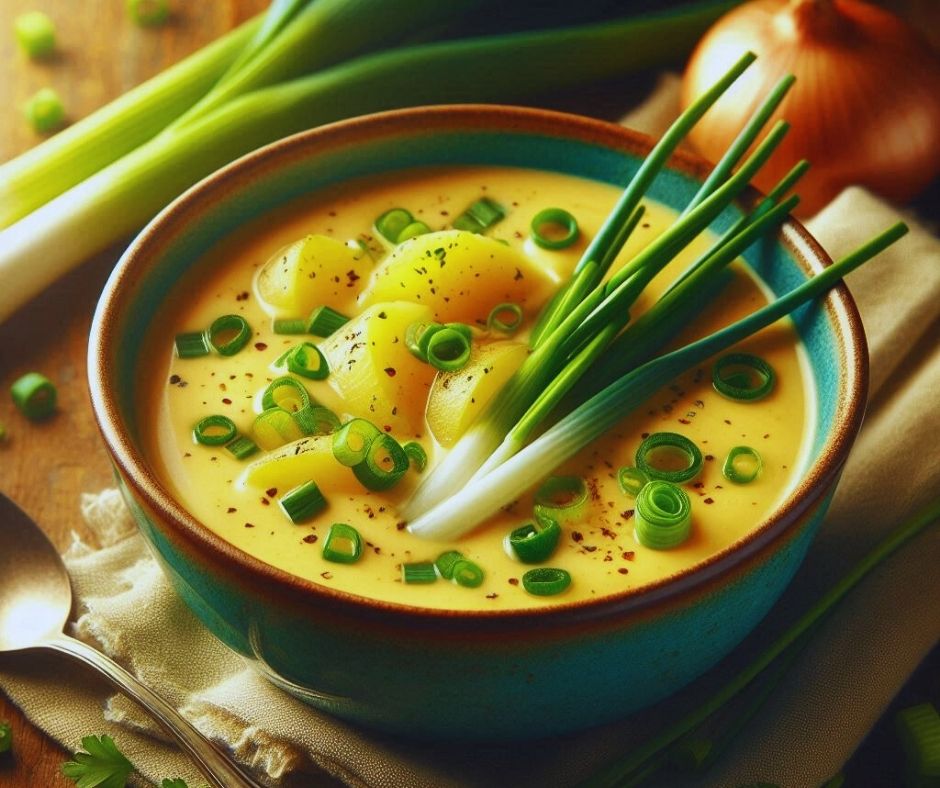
373,371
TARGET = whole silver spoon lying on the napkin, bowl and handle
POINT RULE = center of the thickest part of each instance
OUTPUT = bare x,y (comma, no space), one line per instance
35,601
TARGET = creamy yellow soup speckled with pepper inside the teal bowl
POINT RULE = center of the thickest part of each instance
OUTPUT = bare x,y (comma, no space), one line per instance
601,552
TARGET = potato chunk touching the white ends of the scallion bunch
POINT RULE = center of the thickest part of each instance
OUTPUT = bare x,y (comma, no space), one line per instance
457,397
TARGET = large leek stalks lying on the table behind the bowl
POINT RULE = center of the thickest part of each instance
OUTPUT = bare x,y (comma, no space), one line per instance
56,220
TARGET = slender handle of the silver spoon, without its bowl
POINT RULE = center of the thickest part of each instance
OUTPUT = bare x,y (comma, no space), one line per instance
215,766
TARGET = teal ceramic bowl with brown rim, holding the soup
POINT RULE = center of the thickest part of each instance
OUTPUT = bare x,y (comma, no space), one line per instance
430,673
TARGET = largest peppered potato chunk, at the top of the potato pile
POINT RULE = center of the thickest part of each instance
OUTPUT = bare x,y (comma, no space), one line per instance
460,276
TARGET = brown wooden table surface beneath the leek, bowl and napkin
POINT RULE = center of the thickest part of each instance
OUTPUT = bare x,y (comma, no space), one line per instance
44,467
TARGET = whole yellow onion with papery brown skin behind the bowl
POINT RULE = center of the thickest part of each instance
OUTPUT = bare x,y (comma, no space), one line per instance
865,108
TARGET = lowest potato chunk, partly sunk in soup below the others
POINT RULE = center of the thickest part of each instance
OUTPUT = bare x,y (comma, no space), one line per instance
300,461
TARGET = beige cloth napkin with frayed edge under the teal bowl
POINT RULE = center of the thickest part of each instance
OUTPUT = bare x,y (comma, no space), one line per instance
824,706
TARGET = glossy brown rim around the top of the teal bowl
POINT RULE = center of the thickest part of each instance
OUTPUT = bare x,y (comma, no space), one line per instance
184,529
